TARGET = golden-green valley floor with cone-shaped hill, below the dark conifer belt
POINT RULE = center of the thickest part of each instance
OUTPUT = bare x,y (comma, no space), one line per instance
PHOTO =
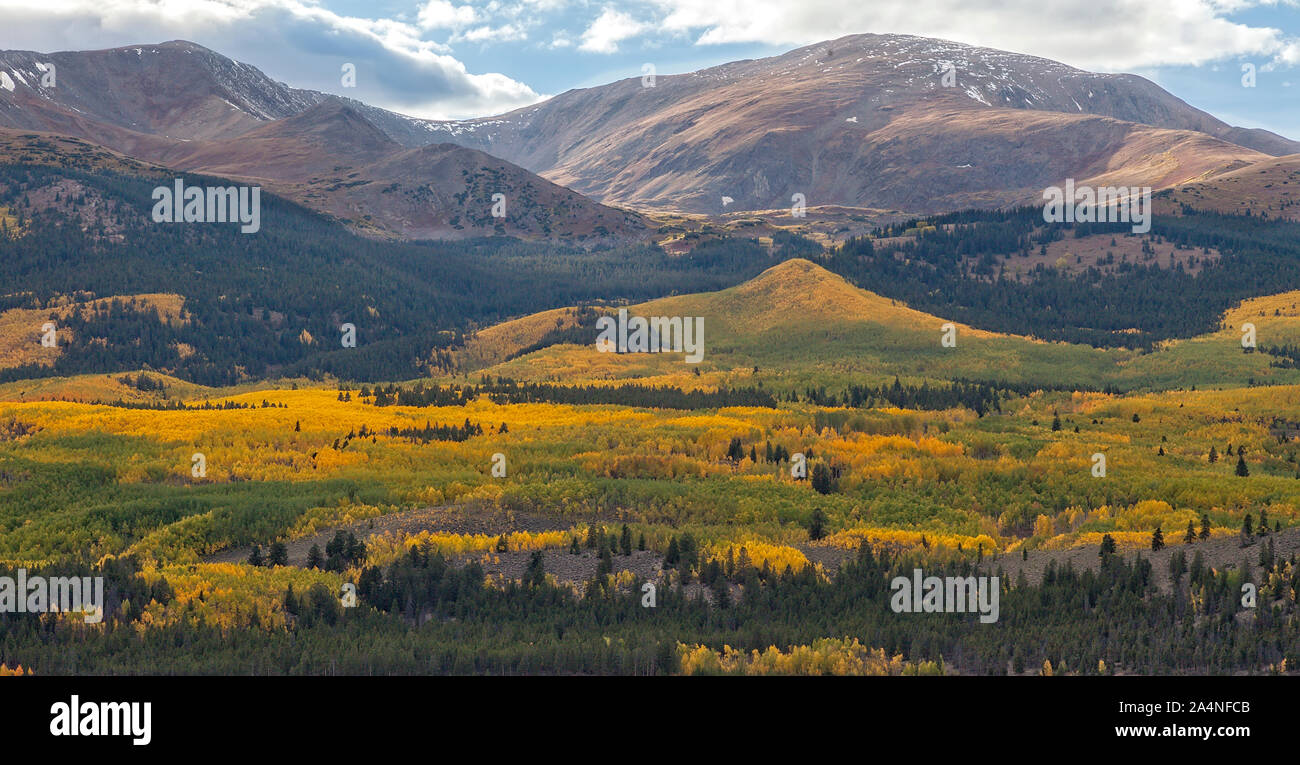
729,511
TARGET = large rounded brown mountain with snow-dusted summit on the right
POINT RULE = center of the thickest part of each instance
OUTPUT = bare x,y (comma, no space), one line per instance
865,122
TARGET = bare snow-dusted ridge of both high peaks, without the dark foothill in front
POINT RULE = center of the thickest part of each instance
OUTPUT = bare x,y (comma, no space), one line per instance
861,122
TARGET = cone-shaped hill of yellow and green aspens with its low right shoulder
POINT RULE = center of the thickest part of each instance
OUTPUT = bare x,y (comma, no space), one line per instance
801,326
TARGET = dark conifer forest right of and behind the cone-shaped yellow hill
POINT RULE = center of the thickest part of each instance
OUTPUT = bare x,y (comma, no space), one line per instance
948,266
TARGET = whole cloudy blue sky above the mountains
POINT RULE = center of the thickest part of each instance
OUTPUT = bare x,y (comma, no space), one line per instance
457,59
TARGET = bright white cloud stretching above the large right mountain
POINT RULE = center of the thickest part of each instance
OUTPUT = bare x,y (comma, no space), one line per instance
1106,36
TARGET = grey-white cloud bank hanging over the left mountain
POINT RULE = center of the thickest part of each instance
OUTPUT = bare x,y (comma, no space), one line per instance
398,67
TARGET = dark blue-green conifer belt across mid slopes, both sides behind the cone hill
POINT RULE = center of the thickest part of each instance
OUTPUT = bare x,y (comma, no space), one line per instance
274,305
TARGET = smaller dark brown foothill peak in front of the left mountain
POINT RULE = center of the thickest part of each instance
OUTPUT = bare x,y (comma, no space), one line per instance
332,159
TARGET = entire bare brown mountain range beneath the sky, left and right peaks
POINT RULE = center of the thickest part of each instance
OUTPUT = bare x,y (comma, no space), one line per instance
891,123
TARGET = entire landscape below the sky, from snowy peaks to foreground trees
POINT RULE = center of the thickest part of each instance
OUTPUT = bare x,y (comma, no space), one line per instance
668,379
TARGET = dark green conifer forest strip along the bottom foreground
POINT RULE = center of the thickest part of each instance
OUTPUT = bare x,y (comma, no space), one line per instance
423,616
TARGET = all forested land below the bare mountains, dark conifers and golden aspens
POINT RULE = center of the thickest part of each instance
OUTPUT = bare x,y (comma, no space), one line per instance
203,443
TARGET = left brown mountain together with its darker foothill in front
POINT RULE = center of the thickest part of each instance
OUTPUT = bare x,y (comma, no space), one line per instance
187,109
